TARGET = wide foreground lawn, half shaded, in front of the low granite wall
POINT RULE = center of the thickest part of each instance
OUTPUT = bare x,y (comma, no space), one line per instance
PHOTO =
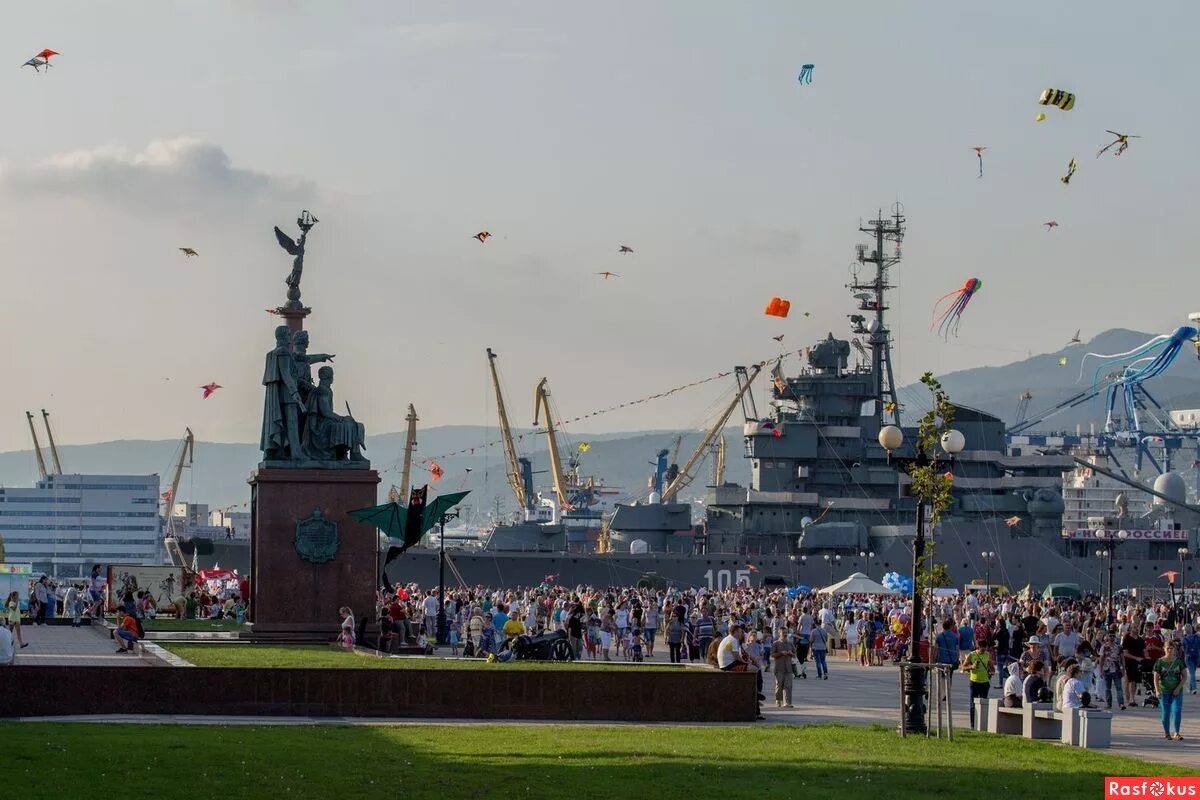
553,762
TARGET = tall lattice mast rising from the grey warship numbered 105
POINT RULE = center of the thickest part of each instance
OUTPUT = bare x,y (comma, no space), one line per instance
871,294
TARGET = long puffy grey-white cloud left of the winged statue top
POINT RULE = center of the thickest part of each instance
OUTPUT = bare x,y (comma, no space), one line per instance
172,172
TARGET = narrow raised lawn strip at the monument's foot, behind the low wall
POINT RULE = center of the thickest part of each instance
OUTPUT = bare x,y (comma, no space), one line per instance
329,657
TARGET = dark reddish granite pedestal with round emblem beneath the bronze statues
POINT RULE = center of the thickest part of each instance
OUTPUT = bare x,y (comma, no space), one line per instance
292,596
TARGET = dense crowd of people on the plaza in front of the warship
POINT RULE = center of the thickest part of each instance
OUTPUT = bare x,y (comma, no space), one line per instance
1066,651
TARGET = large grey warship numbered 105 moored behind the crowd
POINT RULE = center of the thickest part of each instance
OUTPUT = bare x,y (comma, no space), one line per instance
826,500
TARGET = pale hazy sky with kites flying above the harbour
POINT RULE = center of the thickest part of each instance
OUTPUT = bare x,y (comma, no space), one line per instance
567,130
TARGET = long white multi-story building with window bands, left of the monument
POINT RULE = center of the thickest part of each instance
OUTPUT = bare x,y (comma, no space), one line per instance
67,524
